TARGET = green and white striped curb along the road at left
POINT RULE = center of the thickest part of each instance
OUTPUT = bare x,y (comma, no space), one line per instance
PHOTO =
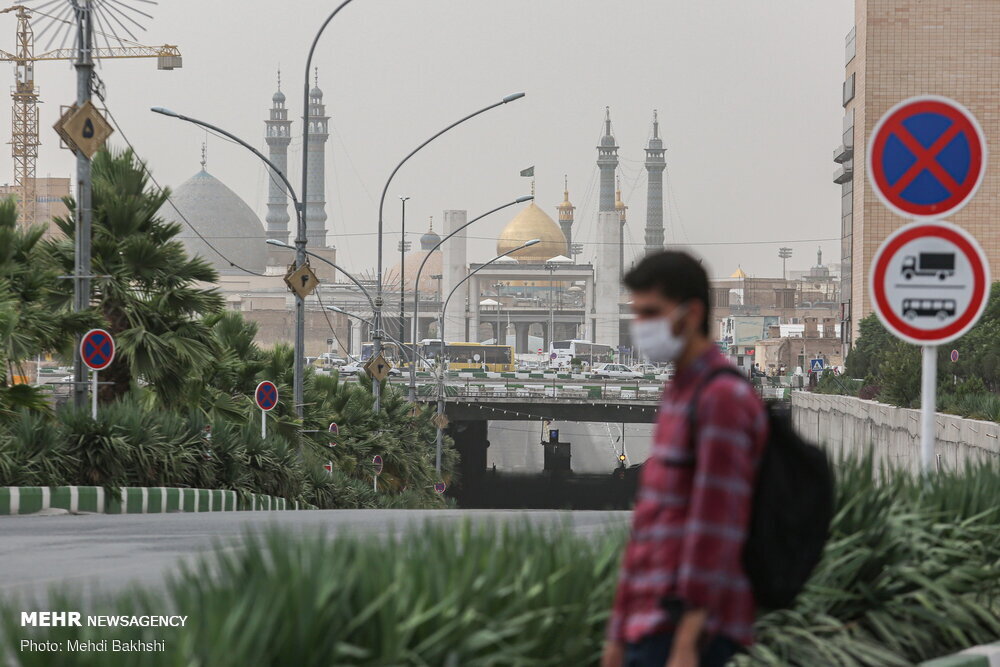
134,500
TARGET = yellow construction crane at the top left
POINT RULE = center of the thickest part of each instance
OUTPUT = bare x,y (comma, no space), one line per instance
24,117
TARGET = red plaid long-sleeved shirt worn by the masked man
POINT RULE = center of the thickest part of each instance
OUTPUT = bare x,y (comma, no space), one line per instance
691,511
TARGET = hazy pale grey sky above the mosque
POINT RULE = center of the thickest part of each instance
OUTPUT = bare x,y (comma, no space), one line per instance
748,93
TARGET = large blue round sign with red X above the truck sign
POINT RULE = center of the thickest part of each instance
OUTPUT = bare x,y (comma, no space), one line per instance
926,157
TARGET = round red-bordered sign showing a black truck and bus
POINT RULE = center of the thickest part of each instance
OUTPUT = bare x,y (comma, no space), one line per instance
929,282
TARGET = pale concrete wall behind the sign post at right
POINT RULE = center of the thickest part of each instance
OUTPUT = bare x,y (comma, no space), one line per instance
848,425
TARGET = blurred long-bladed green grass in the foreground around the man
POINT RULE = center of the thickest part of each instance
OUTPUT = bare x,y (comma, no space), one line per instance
911,572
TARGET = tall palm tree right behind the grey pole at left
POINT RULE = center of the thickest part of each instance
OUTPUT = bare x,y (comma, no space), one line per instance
149,298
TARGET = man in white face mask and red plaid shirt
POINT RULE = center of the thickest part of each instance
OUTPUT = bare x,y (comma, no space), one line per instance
683,599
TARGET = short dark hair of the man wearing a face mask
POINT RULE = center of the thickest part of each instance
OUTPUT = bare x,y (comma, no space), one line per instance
677,275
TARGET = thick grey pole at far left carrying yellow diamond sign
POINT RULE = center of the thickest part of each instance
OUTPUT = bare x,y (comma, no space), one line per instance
81,252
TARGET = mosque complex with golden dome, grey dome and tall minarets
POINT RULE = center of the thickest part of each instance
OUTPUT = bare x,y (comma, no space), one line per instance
530,297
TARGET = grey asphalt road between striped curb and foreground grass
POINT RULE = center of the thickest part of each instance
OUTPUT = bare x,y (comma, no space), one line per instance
106,553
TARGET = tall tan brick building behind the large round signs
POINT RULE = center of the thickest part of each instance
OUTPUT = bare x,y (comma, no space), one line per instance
898,49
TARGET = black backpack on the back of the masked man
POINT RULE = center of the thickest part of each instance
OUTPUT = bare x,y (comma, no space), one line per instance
793,503
